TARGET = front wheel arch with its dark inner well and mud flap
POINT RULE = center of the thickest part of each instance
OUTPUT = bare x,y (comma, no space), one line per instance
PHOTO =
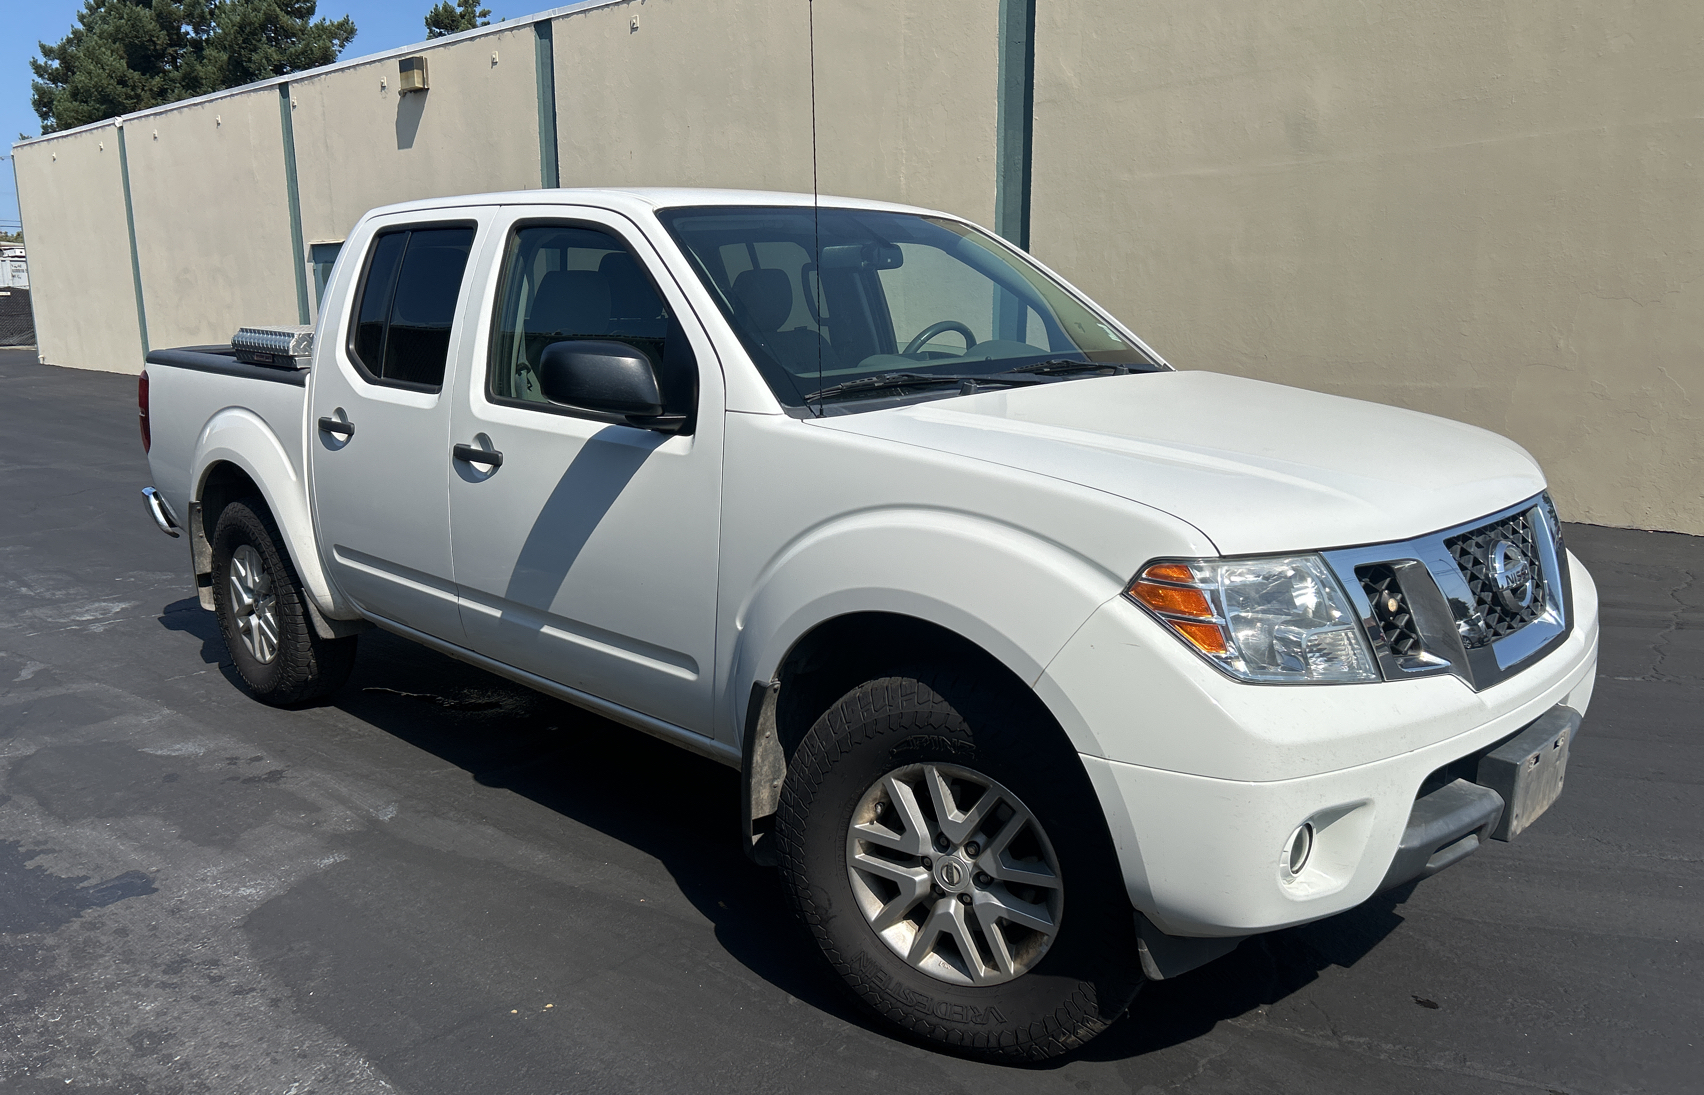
895,578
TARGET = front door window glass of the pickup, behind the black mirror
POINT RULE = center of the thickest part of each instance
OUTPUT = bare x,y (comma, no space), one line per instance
563,284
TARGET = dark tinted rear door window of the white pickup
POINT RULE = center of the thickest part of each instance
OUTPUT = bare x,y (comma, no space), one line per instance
408,306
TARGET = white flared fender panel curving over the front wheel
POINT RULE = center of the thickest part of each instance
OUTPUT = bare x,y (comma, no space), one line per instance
1015,593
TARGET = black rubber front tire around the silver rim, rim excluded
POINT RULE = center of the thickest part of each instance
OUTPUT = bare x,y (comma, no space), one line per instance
969,719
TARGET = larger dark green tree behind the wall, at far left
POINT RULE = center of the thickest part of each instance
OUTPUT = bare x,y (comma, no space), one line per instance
130,55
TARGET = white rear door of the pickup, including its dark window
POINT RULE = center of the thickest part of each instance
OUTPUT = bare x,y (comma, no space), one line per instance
381,421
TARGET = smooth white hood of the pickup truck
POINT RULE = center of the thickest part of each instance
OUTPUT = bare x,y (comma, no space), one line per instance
1257,467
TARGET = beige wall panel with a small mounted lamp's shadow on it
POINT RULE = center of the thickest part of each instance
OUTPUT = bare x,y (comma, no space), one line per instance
362,146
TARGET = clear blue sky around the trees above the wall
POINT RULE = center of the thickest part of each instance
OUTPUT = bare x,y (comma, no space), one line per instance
379,26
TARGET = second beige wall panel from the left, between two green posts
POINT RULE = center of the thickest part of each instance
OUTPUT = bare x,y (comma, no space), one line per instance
207,185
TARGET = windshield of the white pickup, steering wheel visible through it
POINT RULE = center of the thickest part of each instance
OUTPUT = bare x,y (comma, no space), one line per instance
853,306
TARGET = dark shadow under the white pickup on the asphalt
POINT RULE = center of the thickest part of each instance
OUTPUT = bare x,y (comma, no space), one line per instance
688,820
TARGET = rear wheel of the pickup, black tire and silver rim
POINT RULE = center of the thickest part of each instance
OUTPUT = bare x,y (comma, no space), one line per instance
265,617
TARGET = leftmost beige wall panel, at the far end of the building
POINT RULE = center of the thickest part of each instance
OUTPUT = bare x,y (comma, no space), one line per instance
72,202
